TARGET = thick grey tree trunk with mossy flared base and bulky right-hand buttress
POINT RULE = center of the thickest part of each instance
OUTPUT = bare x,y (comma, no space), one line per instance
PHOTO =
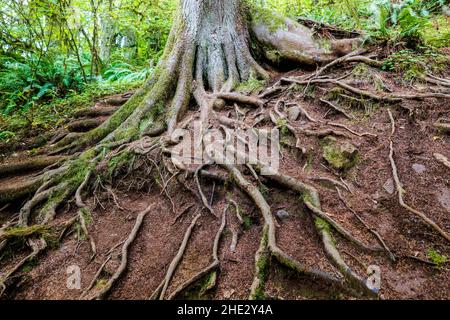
208,49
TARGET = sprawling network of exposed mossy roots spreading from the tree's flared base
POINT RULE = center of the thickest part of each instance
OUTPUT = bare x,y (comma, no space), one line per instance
208,63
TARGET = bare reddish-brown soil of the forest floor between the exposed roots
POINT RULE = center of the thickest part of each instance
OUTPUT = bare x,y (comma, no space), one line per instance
368,188
